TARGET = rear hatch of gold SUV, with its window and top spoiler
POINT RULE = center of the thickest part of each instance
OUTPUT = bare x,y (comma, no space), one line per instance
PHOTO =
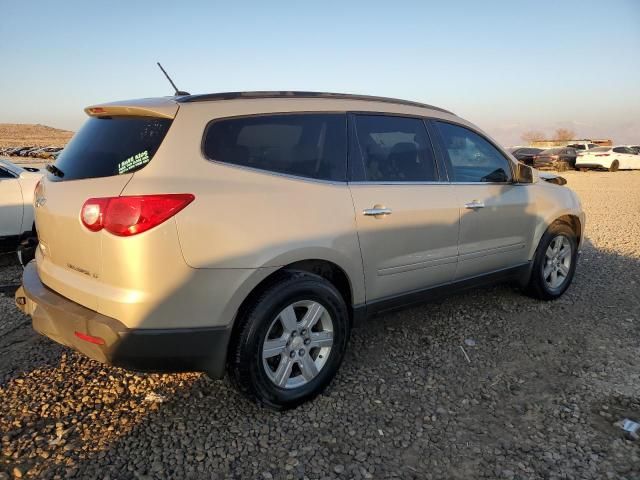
98,162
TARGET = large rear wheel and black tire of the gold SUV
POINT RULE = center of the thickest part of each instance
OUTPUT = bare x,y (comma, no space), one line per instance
304,294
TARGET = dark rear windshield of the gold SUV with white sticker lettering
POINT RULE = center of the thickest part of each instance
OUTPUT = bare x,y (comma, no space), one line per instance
110,146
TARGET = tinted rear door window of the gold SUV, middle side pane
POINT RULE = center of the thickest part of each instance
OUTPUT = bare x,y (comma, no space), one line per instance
395,149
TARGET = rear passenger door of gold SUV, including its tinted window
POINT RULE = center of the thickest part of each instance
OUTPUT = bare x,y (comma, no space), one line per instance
407,217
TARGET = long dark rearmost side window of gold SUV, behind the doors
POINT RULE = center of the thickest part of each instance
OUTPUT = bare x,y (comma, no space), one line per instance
305,145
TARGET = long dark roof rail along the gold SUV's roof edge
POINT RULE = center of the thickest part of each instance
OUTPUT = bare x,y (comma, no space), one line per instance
290,94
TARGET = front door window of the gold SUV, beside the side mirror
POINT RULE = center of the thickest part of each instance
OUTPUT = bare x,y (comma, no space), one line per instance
472,157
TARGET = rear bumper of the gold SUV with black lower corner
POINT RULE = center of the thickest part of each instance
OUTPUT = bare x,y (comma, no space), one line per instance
156,350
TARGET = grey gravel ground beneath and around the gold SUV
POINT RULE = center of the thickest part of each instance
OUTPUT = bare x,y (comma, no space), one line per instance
538,398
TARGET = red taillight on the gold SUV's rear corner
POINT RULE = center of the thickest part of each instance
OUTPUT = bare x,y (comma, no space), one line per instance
126,216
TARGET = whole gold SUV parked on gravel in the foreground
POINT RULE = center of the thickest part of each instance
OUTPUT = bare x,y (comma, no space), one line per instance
248,232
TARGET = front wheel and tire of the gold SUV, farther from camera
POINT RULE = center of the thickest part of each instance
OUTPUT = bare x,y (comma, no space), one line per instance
541,284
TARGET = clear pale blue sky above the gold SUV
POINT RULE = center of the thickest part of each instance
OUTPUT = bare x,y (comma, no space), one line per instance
508,66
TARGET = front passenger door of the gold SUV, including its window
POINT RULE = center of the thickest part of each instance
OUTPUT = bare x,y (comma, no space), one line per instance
496,215
